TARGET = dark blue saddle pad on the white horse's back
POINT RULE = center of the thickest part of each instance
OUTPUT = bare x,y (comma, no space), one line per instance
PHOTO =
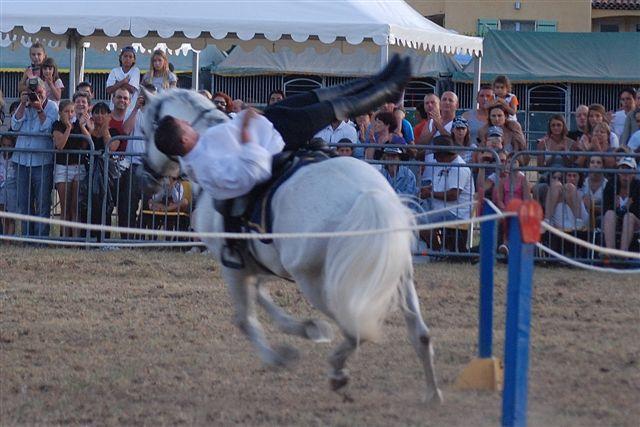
260,214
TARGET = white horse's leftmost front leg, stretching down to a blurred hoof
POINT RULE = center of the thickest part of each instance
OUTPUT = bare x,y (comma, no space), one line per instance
243,290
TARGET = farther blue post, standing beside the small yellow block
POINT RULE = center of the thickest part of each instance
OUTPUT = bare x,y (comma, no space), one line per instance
487,260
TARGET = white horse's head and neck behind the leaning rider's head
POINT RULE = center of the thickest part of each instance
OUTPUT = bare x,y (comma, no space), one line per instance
180,103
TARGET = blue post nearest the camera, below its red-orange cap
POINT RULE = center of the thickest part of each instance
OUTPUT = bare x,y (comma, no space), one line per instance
518,324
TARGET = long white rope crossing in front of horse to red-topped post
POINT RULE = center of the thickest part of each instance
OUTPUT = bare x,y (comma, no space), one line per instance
248,236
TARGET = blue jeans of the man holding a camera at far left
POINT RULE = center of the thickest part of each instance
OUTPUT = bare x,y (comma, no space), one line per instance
33,186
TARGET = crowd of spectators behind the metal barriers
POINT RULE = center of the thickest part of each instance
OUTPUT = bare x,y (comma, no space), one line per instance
453,156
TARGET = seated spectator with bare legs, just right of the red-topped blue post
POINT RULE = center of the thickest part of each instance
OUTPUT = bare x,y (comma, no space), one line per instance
563,207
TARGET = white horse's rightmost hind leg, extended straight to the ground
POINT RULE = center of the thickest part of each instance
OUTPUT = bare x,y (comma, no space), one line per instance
421,340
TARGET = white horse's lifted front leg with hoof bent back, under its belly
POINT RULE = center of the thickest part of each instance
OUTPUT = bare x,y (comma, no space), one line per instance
313,329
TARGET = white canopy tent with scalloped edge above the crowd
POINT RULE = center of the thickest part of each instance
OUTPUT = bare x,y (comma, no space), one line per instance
378,25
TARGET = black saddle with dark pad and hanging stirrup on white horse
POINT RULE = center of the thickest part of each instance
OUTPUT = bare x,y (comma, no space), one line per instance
252,212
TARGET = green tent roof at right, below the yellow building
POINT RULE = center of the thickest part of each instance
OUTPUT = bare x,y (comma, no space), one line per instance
532,57
